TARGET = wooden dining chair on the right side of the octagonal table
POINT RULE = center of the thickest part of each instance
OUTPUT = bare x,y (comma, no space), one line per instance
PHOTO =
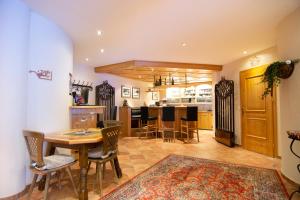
106,152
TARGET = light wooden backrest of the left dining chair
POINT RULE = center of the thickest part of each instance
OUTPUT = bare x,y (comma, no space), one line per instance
34,142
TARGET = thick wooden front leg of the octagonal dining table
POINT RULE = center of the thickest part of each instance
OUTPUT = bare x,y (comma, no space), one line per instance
83,164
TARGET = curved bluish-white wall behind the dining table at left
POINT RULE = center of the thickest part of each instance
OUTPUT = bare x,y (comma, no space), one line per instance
48,101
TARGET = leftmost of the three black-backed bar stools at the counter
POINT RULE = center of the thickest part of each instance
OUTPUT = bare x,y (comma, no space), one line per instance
149,123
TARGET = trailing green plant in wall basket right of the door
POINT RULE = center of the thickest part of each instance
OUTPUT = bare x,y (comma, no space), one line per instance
276,71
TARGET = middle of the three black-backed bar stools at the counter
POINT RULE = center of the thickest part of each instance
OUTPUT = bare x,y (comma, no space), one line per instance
168,123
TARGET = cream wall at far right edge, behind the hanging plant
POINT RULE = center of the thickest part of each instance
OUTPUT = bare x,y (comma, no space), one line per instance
289,48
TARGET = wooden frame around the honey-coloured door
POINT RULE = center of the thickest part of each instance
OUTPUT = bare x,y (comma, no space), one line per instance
274,112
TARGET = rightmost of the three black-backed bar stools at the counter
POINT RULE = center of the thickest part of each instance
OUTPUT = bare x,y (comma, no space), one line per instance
189,123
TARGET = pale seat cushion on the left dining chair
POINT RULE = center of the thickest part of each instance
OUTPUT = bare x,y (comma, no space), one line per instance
55,161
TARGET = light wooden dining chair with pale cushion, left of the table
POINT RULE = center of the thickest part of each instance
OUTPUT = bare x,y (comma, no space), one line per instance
45,166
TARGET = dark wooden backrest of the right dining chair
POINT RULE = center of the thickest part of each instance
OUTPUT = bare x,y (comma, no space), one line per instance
110,137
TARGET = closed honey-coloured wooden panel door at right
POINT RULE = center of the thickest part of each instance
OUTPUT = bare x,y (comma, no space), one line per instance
257,113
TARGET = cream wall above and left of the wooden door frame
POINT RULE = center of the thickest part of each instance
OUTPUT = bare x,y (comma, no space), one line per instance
232,71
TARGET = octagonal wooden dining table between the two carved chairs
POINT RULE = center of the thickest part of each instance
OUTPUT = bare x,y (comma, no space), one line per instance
76,139
